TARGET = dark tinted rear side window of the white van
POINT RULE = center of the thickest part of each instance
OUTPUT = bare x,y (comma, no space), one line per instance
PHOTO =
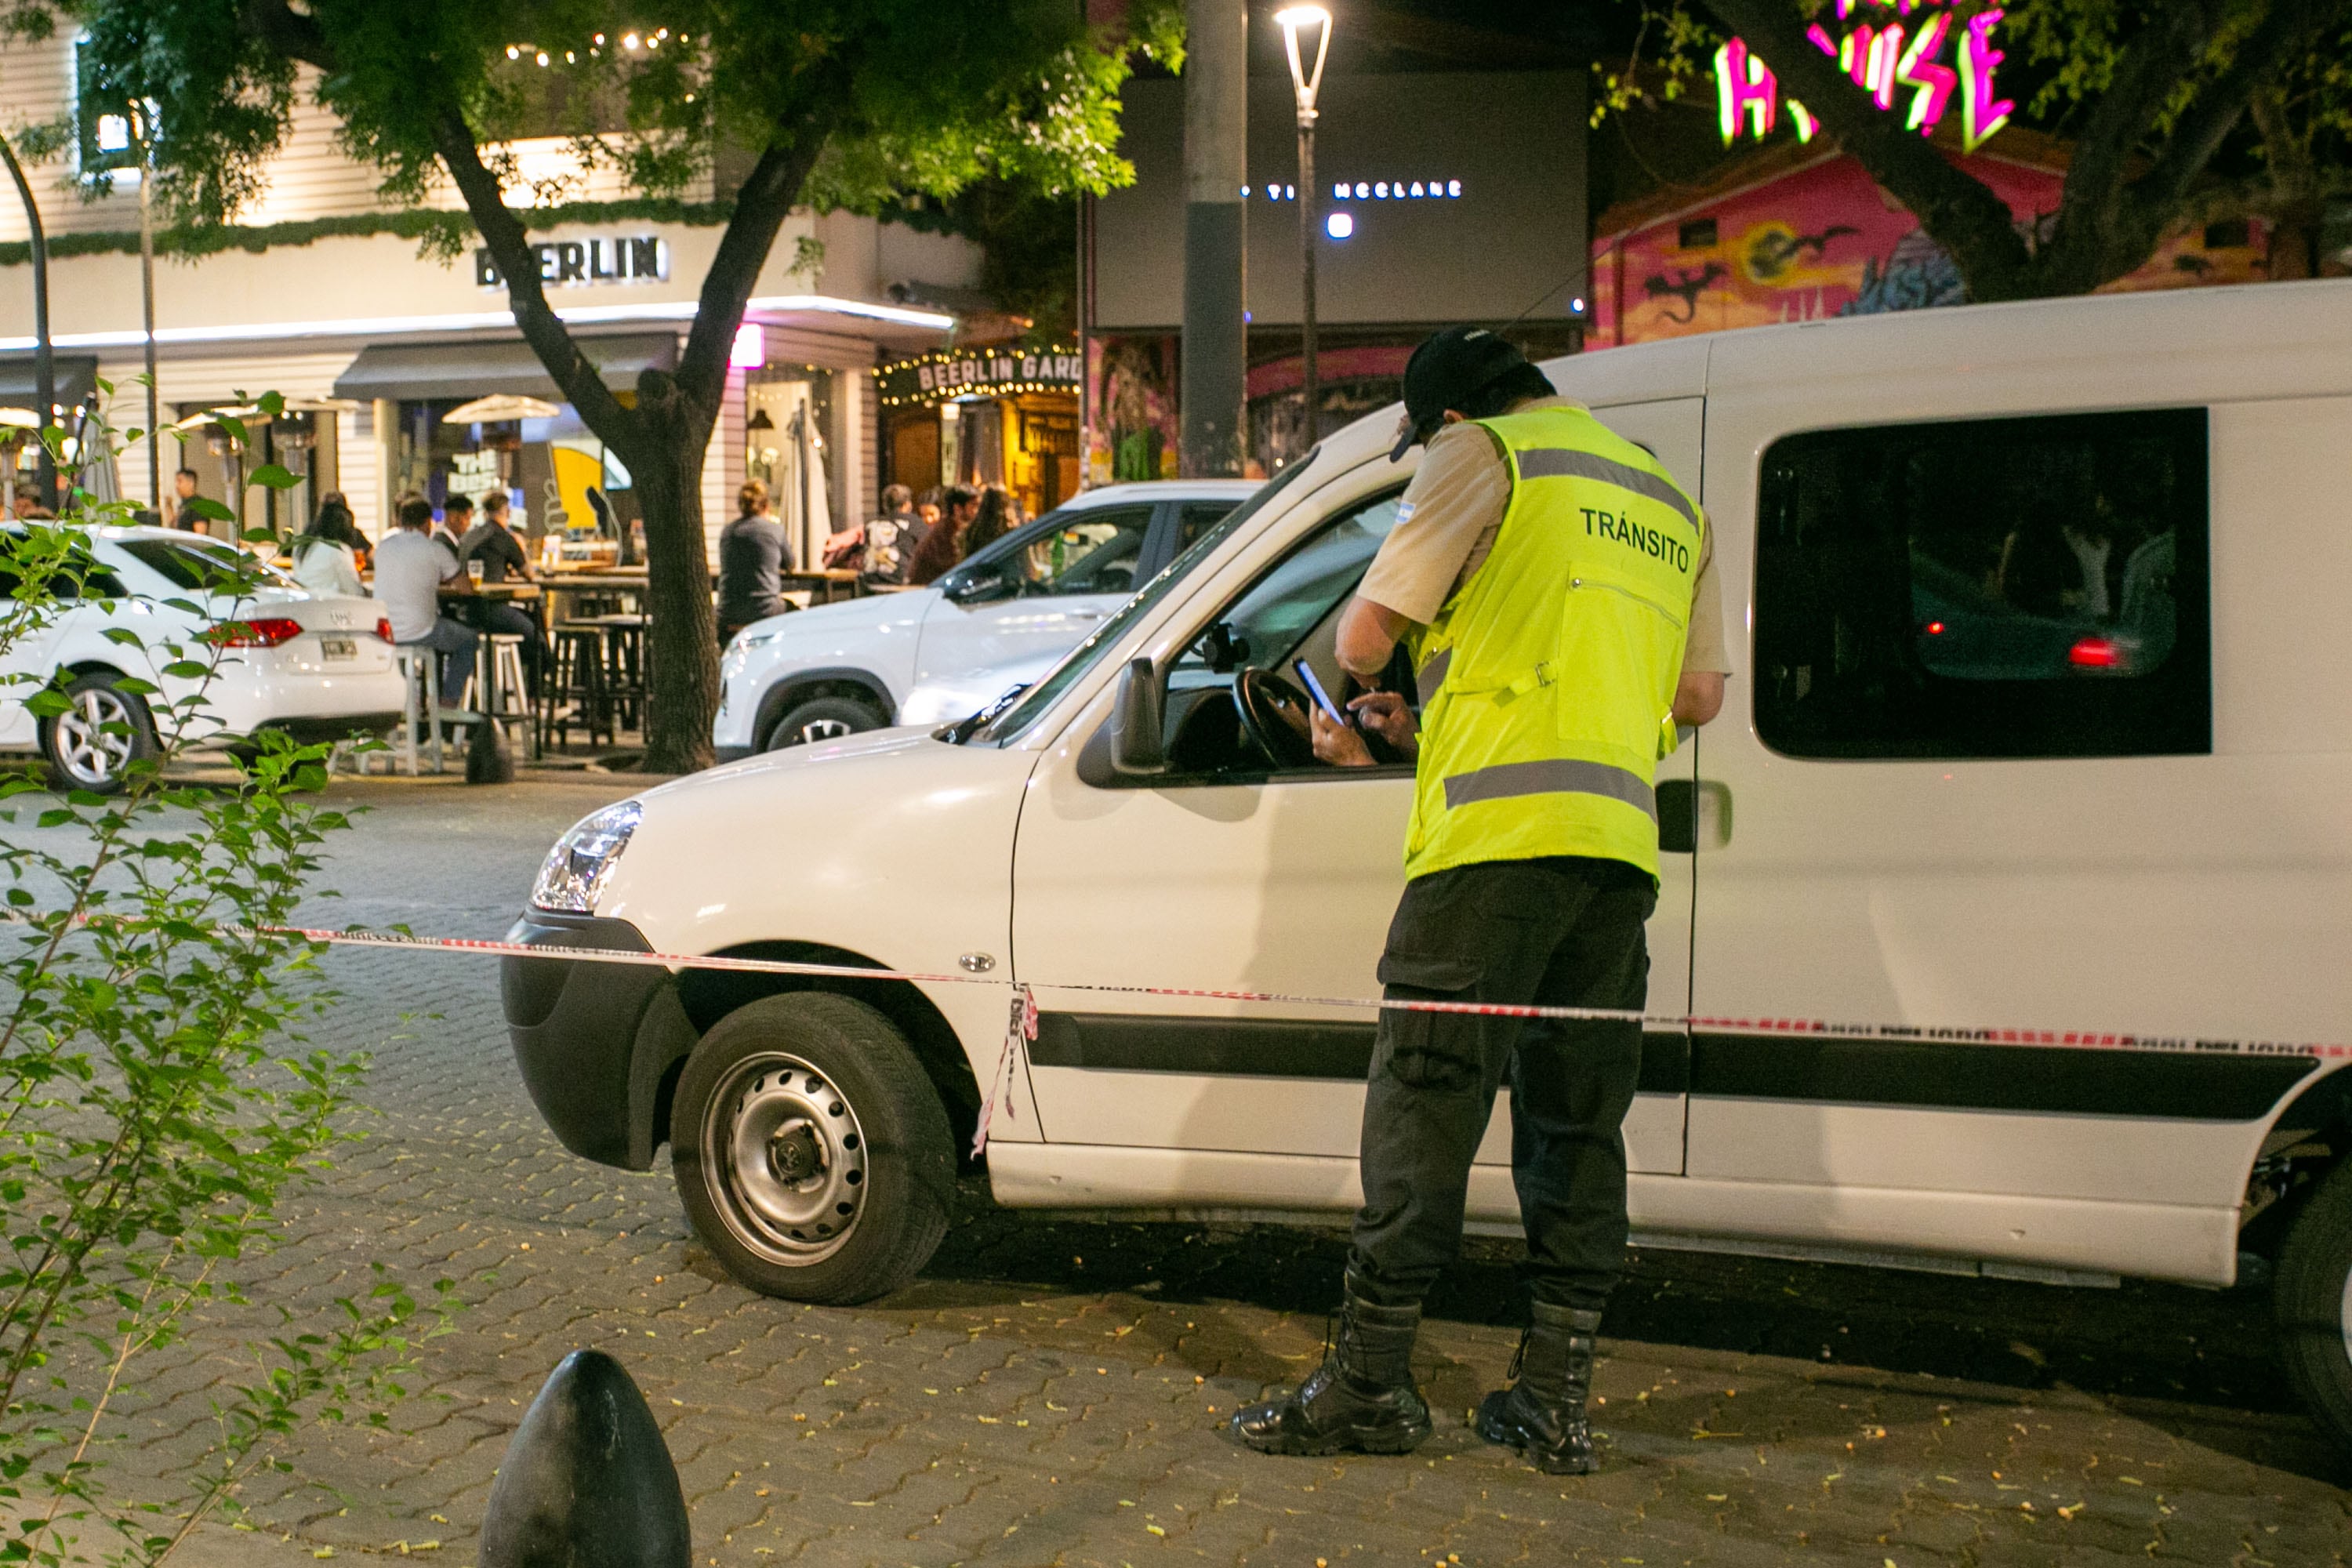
1986,589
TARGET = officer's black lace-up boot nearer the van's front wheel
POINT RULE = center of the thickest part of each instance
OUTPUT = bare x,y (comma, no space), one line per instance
1361,1400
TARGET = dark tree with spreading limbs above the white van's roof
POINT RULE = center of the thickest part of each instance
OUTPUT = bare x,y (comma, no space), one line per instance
2149,93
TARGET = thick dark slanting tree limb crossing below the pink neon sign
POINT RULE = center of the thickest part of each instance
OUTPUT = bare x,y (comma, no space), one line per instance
1958,210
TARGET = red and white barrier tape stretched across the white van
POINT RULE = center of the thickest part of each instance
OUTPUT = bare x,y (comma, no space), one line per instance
1022,1024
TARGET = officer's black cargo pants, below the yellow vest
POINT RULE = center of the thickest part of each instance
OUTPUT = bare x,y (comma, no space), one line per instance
1558,932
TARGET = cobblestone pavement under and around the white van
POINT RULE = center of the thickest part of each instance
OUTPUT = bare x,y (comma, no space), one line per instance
1053,1393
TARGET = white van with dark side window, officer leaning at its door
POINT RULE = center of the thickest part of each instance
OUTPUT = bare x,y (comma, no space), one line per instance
2040,721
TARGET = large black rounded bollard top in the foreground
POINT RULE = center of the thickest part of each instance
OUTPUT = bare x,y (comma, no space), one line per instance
587,1480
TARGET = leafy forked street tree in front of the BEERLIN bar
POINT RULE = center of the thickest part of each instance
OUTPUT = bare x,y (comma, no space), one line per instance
777,102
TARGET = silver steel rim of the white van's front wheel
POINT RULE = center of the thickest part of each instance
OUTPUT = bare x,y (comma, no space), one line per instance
787,1160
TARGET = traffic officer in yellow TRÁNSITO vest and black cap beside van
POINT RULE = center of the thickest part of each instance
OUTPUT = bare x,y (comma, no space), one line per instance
1556,594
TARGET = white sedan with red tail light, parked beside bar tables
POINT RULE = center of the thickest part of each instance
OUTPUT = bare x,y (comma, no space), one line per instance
295,662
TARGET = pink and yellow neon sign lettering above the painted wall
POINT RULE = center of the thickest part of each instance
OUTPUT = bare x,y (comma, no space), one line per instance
1899,58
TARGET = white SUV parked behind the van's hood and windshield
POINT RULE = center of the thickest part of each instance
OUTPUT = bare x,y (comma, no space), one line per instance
1001,619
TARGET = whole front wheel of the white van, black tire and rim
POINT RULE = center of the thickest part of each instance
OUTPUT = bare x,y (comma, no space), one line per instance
810,1151
